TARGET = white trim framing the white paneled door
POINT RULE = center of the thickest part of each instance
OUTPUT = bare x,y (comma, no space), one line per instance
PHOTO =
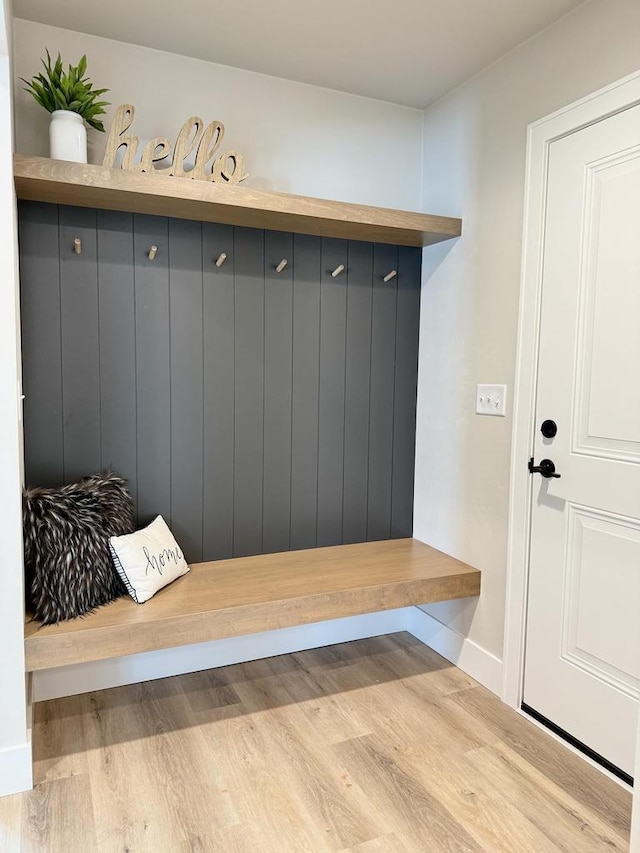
605,102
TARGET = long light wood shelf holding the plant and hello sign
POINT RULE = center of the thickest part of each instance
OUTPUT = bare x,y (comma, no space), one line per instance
62,182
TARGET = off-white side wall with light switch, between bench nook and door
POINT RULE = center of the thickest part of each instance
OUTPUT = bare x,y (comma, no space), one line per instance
474,166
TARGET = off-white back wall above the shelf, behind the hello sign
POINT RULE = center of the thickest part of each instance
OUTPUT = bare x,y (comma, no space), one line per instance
295,138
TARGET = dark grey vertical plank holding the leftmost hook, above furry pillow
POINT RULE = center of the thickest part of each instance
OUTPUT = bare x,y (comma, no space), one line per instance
80,343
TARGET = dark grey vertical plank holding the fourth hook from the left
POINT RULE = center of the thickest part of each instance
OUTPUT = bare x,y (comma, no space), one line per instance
278,342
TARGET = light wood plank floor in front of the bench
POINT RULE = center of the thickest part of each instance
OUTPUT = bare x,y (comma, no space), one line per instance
377,746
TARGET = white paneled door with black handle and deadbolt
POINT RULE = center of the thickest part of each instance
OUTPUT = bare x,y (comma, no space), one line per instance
582,662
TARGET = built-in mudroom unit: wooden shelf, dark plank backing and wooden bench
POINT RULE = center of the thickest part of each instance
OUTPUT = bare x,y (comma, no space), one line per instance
230,270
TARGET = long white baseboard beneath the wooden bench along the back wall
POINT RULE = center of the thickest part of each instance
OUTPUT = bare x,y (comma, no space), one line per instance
99,675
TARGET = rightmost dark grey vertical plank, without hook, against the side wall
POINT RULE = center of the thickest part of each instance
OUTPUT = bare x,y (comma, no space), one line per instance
406,384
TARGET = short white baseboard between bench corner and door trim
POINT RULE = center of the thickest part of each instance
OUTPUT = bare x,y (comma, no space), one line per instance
464,653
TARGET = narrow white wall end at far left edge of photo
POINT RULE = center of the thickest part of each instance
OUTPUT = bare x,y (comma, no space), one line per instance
15,753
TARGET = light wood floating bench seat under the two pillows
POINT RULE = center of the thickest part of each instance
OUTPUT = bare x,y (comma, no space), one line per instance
248,595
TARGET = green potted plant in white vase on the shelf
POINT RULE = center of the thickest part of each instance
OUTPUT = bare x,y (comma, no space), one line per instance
71,99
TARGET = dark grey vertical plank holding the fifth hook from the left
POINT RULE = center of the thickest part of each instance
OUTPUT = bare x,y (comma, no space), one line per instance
333,315
